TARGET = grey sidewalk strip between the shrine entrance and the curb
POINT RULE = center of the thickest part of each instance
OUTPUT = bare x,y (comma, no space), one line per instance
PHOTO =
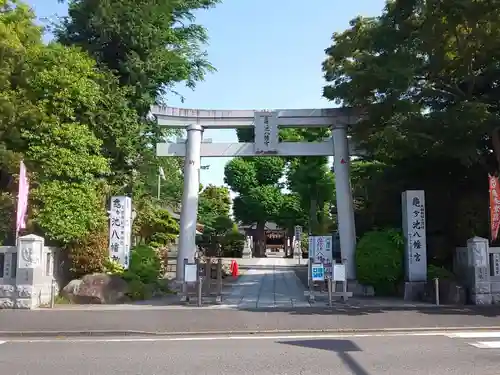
196,320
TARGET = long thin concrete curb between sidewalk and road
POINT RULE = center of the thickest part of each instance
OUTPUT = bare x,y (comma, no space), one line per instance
115,333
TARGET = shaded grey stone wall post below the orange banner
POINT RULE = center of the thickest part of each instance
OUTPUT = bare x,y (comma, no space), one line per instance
478,268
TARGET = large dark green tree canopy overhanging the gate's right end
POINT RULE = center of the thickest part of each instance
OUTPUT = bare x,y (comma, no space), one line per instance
424,72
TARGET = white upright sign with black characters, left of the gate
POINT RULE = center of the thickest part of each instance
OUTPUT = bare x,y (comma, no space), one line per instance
120,230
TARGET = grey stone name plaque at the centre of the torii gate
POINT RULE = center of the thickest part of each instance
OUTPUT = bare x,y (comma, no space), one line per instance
266,133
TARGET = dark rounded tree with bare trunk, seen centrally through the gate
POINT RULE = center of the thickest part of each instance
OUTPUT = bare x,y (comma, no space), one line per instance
259,197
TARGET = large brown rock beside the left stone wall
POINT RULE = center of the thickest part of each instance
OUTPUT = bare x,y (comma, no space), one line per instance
98,288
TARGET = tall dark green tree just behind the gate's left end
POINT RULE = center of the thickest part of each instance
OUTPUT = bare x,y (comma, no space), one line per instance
149,46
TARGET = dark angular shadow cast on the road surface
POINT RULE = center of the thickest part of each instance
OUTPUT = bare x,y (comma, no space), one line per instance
341,347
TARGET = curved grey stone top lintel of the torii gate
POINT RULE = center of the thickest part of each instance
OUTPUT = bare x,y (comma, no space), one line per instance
231,119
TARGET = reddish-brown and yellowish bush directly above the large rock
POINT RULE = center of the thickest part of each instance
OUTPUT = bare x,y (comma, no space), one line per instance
89,255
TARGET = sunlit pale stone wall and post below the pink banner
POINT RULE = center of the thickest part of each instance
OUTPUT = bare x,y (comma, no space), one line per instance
28,279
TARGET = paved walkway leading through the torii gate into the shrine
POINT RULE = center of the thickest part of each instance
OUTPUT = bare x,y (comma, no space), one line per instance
268,284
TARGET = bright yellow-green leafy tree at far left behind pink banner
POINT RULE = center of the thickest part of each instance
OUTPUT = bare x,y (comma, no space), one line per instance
48,96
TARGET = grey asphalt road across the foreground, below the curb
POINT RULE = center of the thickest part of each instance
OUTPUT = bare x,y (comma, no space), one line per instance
369,355
